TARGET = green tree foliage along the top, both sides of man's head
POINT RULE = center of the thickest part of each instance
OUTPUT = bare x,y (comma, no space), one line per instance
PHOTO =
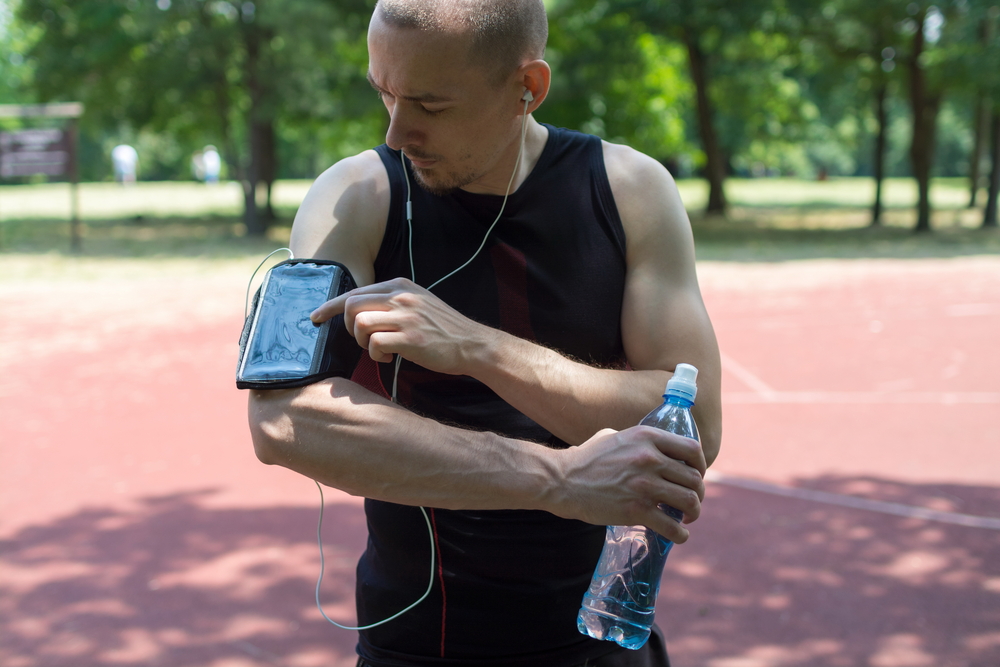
756,87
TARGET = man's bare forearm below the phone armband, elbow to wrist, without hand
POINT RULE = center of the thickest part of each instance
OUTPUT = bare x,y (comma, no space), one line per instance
342,435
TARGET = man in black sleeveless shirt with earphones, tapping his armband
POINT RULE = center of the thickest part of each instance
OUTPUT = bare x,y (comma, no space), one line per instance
574,299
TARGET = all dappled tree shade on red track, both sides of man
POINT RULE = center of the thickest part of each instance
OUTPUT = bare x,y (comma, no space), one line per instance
765,581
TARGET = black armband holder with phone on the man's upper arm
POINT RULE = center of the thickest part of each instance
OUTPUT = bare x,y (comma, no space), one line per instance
280,346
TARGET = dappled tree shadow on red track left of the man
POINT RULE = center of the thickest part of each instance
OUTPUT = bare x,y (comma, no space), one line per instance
177,584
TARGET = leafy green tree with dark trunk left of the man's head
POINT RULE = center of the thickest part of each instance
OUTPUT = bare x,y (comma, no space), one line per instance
219,71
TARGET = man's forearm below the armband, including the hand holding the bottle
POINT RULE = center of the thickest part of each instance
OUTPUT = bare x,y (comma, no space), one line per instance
344,436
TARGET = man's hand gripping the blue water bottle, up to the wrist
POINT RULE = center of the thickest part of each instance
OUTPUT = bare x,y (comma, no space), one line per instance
620,477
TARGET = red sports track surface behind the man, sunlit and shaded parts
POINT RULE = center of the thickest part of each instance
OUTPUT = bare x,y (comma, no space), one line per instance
138,528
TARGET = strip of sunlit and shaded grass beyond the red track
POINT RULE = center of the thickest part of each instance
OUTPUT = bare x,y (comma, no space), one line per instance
769,220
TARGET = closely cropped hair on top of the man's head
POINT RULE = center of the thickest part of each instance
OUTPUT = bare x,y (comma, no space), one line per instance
503,34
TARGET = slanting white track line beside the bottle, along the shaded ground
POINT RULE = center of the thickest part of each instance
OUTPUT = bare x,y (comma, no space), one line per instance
854,502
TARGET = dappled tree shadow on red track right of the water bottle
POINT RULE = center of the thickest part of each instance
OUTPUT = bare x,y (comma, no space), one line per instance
768,580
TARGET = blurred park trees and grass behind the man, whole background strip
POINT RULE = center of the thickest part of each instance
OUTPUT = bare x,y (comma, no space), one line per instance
777,114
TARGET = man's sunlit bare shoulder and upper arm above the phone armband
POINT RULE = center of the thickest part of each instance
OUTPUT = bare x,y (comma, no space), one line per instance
343,216
